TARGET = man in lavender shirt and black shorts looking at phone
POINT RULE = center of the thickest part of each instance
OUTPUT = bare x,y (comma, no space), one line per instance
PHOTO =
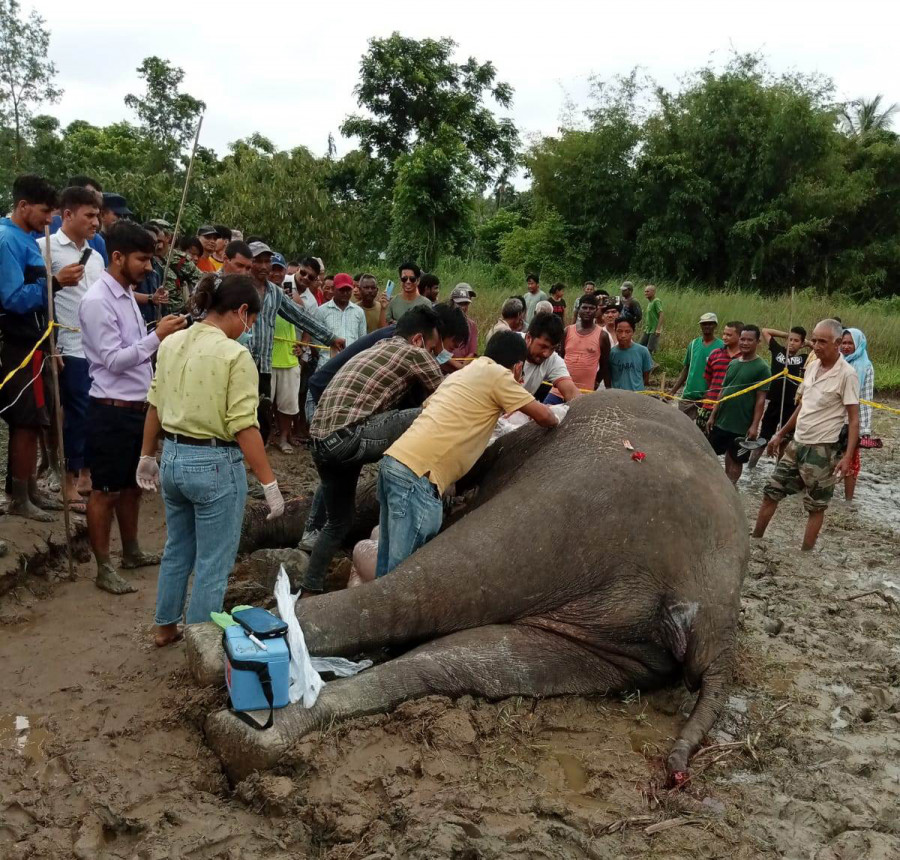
118,350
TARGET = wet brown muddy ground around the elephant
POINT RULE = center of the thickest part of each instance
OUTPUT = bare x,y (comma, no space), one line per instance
101,755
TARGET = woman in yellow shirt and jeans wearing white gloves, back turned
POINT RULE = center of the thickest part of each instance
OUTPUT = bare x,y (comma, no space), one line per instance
203,400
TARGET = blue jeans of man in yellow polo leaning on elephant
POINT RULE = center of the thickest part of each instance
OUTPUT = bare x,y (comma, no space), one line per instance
411,514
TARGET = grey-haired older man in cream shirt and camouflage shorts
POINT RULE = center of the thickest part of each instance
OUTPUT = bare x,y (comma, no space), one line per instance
818,456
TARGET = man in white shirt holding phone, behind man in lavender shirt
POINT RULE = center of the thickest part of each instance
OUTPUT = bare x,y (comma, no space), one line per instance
80,210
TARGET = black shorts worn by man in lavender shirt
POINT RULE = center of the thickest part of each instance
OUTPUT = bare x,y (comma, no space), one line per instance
114,438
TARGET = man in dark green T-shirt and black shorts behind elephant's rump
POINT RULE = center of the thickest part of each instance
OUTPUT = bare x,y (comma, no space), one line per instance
736,418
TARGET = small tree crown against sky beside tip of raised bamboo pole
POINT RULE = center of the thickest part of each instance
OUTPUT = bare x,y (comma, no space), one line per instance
167,115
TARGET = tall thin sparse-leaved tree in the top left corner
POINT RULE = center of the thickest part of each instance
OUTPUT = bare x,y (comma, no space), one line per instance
26,75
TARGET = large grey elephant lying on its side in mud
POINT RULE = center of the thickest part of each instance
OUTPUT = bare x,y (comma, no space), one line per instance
576,570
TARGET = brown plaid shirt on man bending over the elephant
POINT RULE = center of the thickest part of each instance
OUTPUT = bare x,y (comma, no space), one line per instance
373,382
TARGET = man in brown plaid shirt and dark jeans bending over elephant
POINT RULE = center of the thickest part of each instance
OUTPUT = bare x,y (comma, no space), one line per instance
357,420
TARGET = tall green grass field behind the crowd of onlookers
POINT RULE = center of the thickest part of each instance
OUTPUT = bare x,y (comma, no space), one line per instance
682,307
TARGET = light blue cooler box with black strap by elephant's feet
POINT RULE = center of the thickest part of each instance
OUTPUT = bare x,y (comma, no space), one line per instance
244,686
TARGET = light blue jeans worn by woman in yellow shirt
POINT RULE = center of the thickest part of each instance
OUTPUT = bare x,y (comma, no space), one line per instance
204,490
